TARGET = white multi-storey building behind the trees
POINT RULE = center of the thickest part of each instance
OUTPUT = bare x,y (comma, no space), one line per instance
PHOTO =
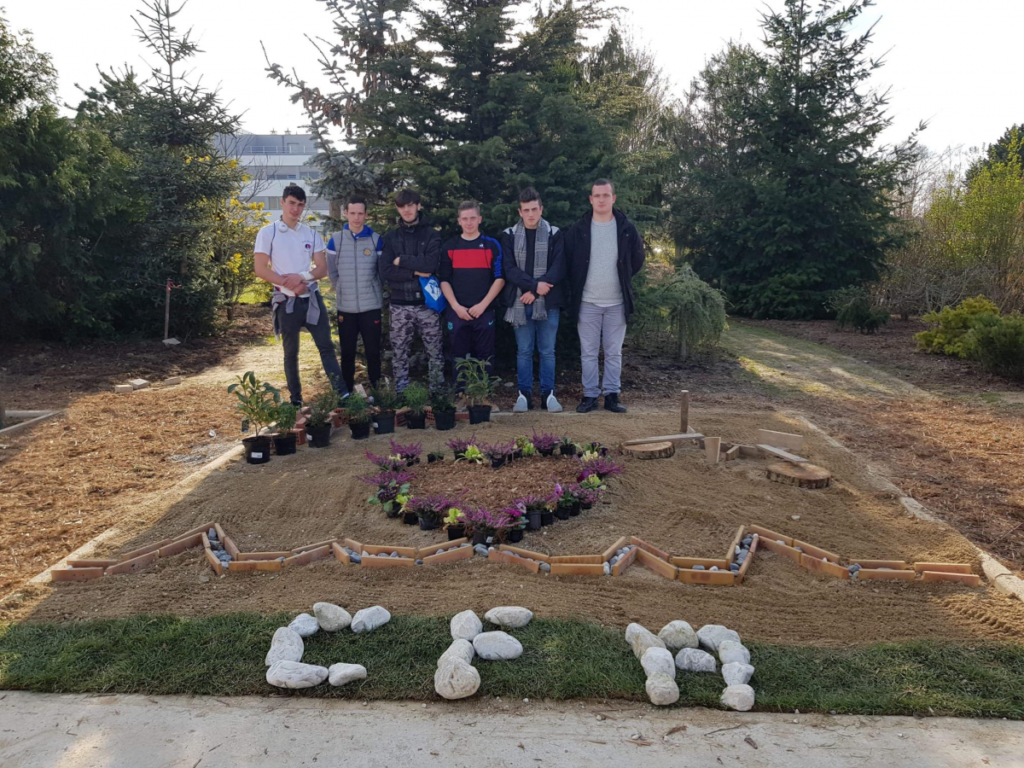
274,161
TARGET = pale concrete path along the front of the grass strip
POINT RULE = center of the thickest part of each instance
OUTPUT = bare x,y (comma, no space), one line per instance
119,732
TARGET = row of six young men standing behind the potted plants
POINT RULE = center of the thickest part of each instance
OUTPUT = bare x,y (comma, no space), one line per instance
530,277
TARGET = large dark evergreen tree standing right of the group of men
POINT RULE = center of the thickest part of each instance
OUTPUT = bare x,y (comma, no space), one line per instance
784,195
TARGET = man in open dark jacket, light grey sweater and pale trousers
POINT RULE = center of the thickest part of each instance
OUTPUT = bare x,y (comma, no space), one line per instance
605,251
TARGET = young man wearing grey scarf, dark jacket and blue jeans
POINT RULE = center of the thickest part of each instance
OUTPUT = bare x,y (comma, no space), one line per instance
535,269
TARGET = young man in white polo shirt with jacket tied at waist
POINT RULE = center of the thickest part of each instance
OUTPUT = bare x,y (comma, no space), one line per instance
292,258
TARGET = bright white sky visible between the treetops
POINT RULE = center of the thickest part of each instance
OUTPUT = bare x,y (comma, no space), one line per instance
955,69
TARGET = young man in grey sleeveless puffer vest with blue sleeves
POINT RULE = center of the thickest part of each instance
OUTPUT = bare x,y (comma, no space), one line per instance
352,263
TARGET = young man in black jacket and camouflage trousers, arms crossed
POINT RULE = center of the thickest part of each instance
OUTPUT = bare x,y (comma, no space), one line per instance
412,251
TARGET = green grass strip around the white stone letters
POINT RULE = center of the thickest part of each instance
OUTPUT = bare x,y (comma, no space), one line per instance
224,656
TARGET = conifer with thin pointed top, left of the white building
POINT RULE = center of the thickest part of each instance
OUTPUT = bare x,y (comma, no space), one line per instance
178,180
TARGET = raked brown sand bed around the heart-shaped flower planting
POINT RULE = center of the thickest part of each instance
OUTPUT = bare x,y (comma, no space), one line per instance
679,504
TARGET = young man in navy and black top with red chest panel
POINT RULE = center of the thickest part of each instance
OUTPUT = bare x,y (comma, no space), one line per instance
472,279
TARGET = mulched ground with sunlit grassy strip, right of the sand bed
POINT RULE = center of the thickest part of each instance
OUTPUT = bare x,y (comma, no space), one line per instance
960,456
